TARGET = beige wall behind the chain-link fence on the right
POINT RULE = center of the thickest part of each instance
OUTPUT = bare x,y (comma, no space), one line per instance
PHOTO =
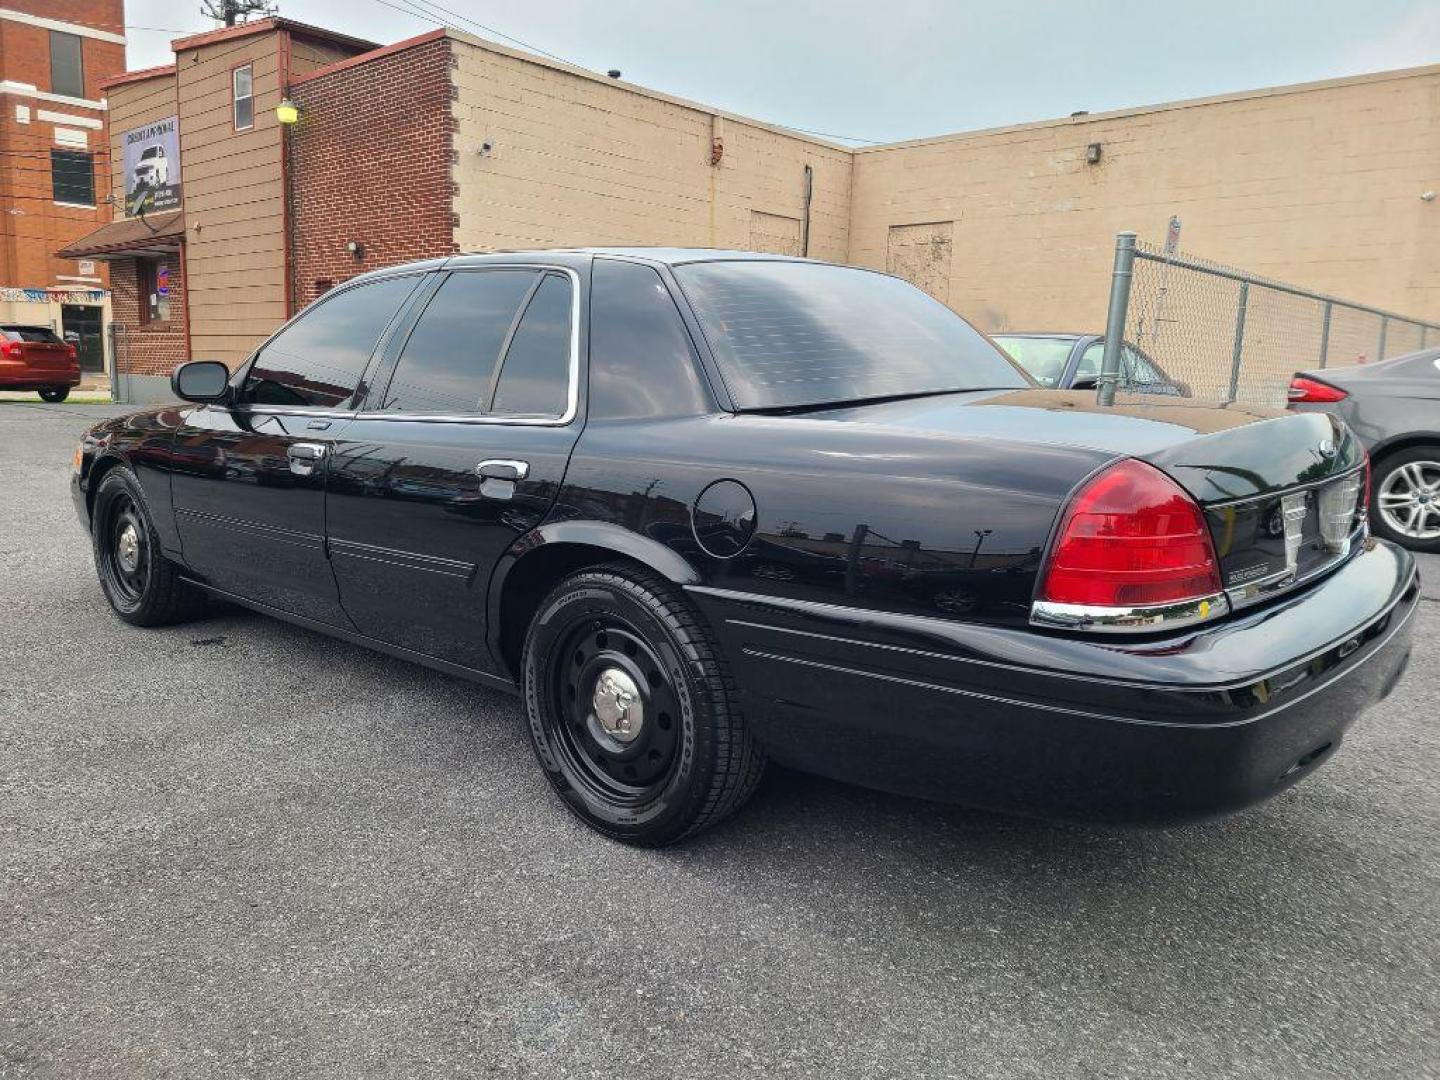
1315,185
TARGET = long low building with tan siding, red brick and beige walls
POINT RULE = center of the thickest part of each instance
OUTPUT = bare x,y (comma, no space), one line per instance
449,143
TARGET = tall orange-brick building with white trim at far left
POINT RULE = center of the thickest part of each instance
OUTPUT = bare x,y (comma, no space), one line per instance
55,55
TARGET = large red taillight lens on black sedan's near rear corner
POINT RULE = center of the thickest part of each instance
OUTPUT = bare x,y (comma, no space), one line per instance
1131,538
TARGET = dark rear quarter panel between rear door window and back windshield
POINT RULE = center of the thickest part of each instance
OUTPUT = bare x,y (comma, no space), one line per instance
642,359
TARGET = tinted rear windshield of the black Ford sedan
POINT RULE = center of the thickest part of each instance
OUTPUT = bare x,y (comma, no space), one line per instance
801,333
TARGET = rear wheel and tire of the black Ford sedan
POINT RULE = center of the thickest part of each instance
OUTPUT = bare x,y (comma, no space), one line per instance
679,758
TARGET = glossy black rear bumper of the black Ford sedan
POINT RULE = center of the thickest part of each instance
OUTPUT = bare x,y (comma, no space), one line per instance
1193,726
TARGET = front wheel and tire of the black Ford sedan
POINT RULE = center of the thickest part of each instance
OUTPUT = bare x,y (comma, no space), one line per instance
142,585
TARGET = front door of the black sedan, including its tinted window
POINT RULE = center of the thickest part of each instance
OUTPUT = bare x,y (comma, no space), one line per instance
248,482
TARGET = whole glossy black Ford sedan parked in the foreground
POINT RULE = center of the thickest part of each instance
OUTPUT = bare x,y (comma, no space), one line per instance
712,509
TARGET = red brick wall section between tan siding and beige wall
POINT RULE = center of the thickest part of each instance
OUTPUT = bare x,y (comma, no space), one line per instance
371,162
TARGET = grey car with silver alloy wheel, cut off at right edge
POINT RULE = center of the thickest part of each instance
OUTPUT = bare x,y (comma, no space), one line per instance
1395,408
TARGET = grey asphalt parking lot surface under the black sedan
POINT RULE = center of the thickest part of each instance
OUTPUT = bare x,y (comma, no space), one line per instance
243,850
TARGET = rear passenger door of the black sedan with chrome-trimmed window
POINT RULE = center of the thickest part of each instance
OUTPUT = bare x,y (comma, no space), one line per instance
459,453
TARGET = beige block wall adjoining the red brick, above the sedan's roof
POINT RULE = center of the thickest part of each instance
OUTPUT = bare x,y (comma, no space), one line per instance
582,161
